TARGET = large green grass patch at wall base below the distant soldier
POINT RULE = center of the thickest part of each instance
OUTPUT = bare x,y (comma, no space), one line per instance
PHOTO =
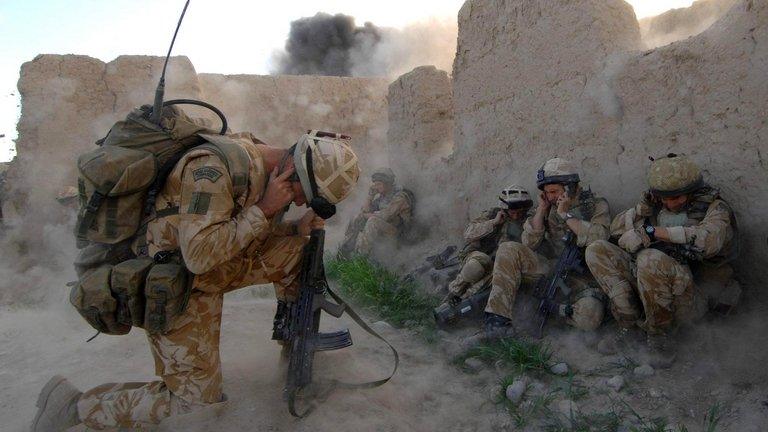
383,292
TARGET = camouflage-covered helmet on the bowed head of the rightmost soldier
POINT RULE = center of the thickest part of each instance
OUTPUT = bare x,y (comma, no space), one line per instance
674,175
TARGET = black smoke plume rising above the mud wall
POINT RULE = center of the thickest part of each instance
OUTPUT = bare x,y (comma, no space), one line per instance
324,45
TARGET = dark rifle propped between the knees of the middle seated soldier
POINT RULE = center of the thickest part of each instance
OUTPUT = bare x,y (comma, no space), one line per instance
546,289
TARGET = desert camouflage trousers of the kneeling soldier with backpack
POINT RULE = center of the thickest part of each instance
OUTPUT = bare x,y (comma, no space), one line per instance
187,356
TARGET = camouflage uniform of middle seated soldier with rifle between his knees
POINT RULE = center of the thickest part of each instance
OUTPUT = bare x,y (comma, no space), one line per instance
517,263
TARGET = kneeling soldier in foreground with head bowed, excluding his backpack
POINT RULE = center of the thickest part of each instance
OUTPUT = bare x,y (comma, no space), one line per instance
227,245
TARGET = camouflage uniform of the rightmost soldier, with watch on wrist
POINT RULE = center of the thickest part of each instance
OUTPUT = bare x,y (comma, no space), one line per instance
663,285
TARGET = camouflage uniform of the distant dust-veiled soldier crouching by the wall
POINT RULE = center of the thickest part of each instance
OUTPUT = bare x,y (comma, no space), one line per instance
390,214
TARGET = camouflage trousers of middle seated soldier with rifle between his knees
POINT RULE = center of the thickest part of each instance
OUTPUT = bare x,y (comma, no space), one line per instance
516,265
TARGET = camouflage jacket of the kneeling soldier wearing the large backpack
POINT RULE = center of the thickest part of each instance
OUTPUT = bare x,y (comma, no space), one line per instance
212,228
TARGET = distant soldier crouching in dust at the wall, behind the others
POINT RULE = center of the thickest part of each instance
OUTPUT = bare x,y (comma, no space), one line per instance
386,213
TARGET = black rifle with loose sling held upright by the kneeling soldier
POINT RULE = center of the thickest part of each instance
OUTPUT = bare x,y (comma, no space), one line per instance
303,321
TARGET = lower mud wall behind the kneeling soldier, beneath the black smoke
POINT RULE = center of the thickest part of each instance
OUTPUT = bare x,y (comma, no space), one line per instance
69,101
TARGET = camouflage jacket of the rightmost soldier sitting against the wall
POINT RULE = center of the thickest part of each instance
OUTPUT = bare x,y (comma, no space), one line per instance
707,224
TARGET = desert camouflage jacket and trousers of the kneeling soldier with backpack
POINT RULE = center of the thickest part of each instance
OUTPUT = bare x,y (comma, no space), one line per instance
227,245
